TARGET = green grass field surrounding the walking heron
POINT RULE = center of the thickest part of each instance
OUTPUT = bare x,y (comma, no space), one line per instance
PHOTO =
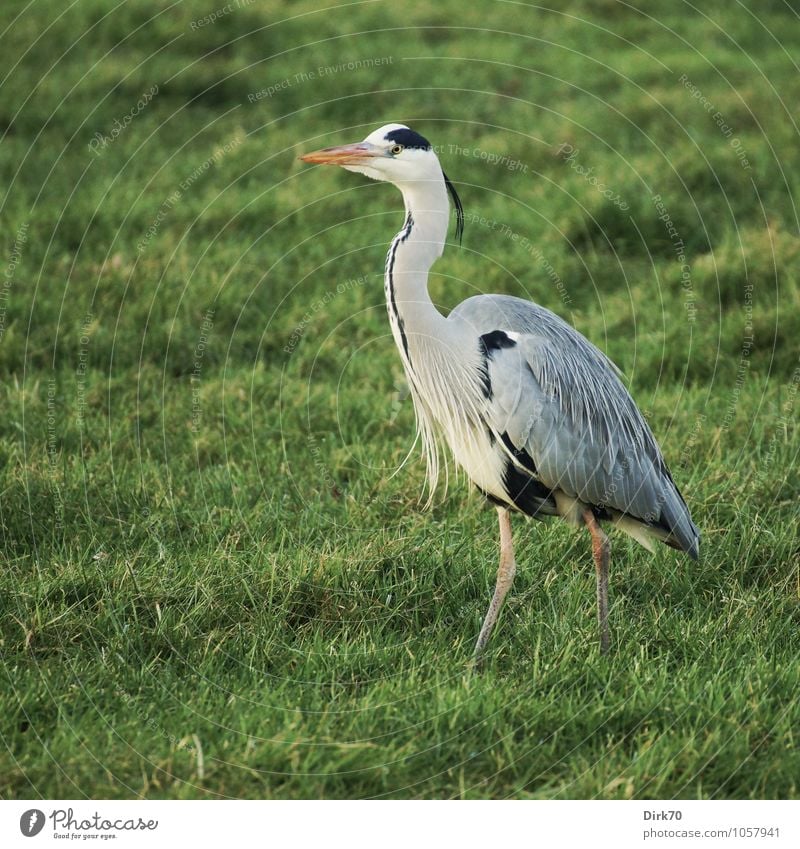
215,580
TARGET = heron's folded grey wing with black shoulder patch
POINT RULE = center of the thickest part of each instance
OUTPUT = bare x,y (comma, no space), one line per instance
558,406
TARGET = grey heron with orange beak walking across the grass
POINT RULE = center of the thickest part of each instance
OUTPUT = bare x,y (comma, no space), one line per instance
533,412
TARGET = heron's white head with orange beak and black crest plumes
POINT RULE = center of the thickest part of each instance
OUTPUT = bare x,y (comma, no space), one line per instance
395,154
